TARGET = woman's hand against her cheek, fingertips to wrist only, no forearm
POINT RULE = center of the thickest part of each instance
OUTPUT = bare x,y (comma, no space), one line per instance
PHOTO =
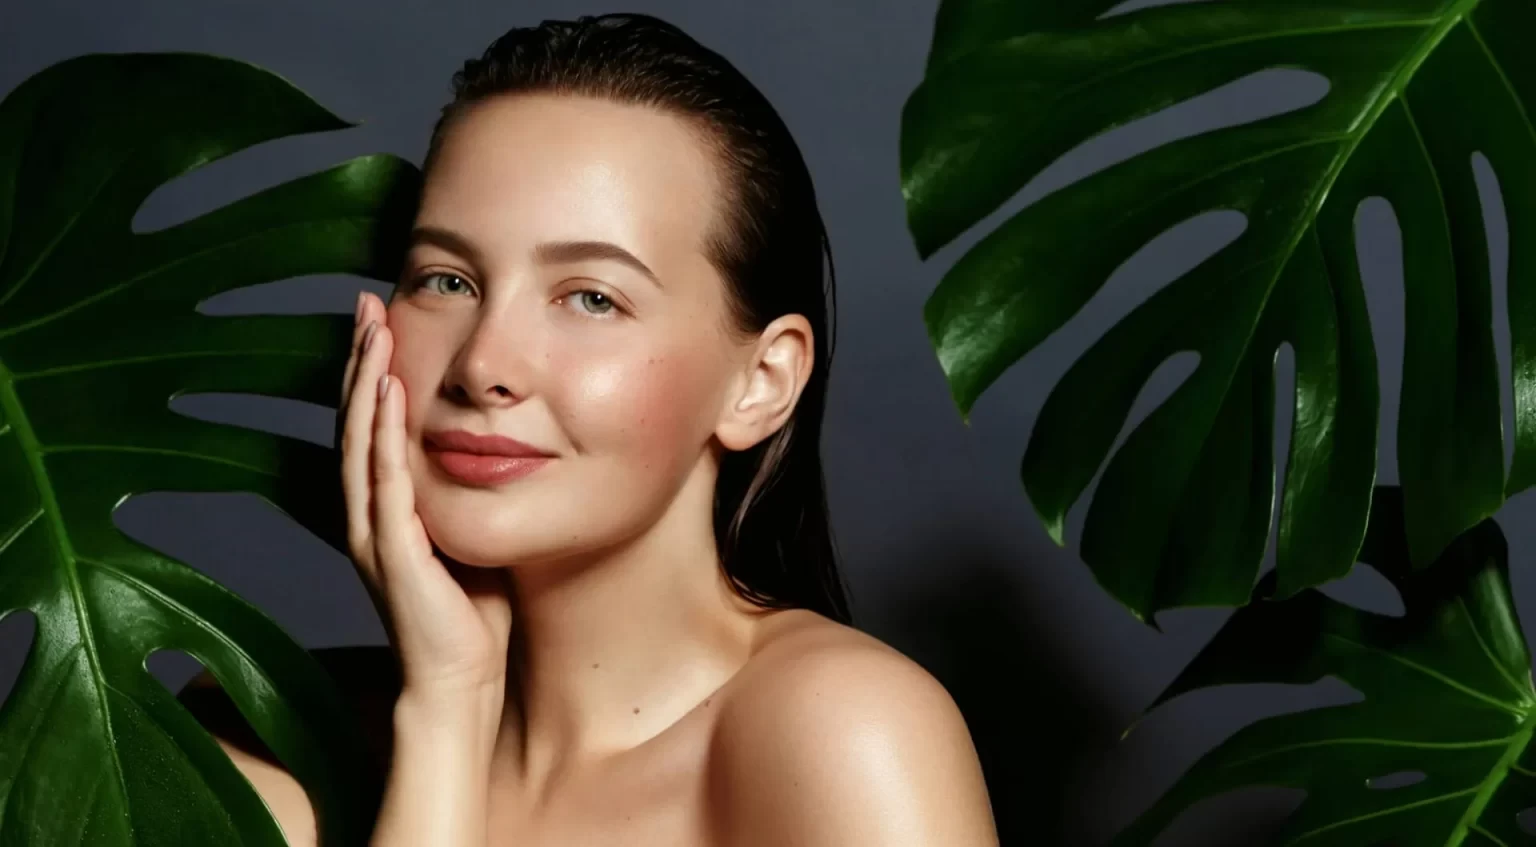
448,623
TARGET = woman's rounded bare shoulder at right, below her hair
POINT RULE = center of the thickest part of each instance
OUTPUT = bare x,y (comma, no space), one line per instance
833,737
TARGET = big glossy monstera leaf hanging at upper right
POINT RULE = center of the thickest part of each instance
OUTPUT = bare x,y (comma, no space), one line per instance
1182,514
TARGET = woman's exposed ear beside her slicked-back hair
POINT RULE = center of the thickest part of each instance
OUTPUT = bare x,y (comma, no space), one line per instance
770,384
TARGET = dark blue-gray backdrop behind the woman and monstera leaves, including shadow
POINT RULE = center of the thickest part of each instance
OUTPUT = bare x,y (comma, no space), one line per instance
942,550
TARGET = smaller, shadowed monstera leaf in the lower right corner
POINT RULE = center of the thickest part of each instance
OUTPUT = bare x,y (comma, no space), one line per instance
1448,693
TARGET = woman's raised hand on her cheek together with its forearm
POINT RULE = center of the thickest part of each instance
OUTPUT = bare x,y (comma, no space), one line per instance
449,623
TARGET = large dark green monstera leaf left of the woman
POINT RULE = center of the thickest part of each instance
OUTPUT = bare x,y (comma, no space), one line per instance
99,330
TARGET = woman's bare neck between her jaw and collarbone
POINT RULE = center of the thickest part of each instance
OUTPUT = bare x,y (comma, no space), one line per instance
612,653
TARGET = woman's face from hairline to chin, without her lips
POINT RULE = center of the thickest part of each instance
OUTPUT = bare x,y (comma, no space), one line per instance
557,293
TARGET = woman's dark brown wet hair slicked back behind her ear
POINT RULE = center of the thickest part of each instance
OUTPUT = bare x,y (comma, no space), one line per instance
770,502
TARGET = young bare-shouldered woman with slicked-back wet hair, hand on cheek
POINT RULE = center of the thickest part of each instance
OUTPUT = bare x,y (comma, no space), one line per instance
581,465
